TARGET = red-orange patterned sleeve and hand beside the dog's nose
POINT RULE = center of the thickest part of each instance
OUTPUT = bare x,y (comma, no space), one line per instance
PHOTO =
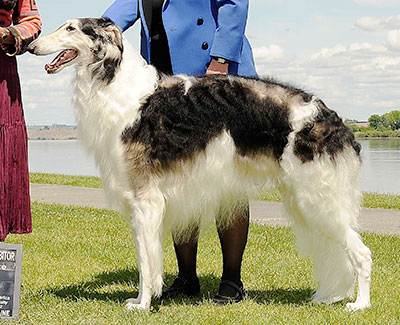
26,26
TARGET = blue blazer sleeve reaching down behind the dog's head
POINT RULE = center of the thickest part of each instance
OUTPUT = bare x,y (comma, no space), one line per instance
124,13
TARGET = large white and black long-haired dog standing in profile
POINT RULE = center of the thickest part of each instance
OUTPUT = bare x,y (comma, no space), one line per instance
176,150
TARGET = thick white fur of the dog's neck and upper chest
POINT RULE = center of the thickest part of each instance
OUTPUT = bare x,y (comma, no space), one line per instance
104,108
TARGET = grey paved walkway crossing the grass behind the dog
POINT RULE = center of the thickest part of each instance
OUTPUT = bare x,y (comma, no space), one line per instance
372,220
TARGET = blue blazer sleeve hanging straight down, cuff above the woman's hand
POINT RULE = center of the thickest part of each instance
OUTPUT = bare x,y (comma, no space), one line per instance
231,24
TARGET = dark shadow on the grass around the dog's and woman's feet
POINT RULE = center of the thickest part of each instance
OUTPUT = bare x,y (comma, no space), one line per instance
100,289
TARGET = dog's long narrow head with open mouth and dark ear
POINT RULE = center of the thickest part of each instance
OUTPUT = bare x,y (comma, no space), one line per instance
95,42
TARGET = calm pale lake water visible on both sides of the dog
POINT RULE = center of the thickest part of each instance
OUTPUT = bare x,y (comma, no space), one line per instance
380,170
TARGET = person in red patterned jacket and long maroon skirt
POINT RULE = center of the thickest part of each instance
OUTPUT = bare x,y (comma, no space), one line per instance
19,25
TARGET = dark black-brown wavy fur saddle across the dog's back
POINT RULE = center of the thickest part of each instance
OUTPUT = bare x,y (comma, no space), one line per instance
178,121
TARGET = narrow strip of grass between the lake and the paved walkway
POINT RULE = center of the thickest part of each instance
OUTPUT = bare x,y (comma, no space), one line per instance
371,200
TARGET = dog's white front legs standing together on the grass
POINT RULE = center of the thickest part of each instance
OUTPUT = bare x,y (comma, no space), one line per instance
147,216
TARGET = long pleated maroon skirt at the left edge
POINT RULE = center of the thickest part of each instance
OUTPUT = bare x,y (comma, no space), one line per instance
15,209
